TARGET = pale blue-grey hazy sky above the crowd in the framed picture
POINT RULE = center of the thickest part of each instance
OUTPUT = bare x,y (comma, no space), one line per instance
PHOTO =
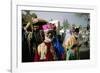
72,18
